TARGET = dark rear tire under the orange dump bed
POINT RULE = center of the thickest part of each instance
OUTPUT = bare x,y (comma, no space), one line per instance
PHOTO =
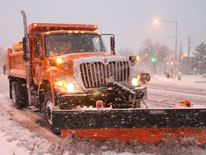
18,94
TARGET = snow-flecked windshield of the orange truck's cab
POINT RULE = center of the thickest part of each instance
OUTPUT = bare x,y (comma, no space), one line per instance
60,44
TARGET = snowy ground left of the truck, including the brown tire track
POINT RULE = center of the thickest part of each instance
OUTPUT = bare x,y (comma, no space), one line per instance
19,134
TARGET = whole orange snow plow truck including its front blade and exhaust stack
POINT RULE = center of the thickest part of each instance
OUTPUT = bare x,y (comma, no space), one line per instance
64,71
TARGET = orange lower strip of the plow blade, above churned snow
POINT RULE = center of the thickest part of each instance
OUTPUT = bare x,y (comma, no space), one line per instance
148,136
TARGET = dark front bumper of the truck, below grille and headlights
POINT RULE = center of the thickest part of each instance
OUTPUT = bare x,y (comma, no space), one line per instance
116,96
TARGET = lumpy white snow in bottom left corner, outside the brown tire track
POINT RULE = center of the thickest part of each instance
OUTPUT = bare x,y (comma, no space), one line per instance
18,140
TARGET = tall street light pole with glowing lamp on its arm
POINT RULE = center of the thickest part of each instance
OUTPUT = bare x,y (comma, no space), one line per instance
156,21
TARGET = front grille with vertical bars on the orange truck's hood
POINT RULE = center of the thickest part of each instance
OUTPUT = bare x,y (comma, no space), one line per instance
96,74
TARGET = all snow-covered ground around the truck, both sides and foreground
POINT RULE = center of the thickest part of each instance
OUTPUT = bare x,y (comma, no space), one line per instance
20,135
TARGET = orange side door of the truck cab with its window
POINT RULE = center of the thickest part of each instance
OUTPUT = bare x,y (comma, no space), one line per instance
38,57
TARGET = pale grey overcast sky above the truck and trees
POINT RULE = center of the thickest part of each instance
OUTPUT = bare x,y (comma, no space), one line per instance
130,20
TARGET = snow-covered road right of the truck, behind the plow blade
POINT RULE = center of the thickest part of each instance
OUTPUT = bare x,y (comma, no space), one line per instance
164,92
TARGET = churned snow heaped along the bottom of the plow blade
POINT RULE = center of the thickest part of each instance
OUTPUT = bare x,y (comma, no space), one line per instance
73,145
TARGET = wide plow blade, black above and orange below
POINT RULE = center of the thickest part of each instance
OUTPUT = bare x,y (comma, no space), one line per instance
141,125
